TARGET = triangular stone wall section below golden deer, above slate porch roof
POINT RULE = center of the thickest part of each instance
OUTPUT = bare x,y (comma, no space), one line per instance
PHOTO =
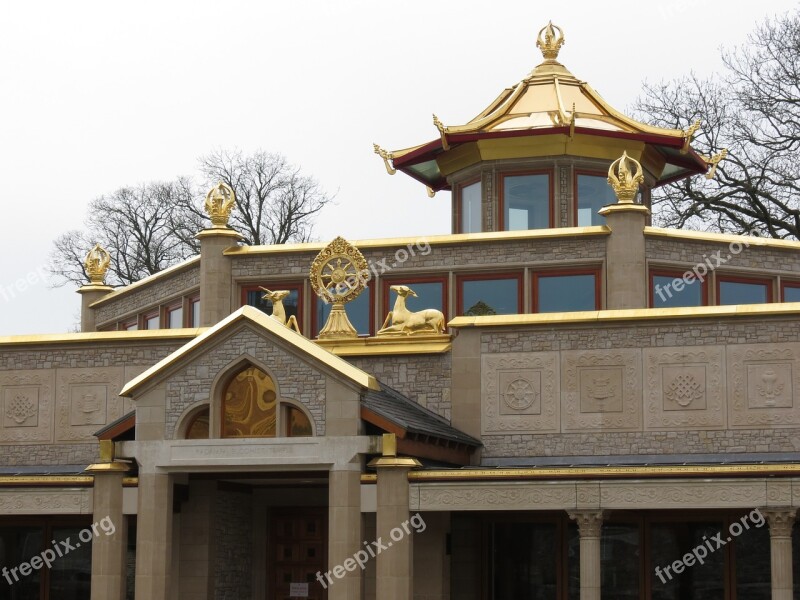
424,378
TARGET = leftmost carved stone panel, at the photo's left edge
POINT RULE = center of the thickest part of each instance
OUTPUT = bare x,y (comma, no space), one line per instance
26,401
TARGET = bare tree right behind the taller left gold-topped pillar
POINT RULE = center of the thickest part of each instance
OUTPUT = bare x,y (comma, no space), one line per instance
275,202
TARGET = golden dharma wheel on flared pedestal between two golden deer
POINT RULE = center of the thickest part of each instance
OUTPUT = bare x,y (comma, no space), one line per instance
339,274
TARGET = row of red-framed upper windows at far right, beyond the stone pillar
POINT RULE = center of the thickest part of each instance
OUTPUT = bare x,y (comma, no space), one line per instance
670,289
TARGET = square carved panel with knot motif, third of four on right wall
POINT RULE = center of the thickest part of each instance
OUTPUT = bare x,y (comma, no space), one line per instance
685,388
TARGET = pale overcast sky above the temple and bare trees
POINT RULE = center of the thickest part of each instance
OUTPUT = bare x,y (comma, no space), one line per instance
98,95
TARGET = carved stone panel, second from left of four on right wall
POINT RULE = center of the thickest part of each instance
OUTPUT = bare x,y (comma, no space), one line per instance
602,389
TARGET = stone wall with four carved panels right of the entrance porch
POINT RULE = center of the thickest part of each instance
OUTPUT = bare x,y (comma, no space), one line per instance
680,387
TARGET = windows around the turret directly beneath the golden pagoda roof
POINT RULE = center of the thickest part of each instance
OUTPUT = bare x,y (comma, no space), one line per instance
527,201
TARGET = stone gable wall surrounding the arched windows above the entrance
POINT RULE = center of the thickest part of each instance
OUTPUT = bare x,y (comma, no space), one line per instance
295,379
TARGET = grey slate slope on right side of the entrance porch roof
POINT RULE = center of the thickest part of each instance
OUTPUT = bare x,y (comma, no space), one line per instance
407,414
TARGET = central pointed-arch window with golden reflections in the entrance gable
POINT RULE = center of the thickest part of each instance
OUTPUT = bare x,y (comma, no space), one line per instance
250,405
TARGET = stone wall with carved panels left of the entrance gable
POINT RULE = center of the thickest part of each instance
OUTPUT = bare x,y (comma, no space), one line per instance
54,398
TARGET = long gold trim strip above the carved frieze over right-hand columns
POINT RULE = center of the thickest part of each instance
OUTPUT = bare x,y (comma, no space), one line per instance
653,471
